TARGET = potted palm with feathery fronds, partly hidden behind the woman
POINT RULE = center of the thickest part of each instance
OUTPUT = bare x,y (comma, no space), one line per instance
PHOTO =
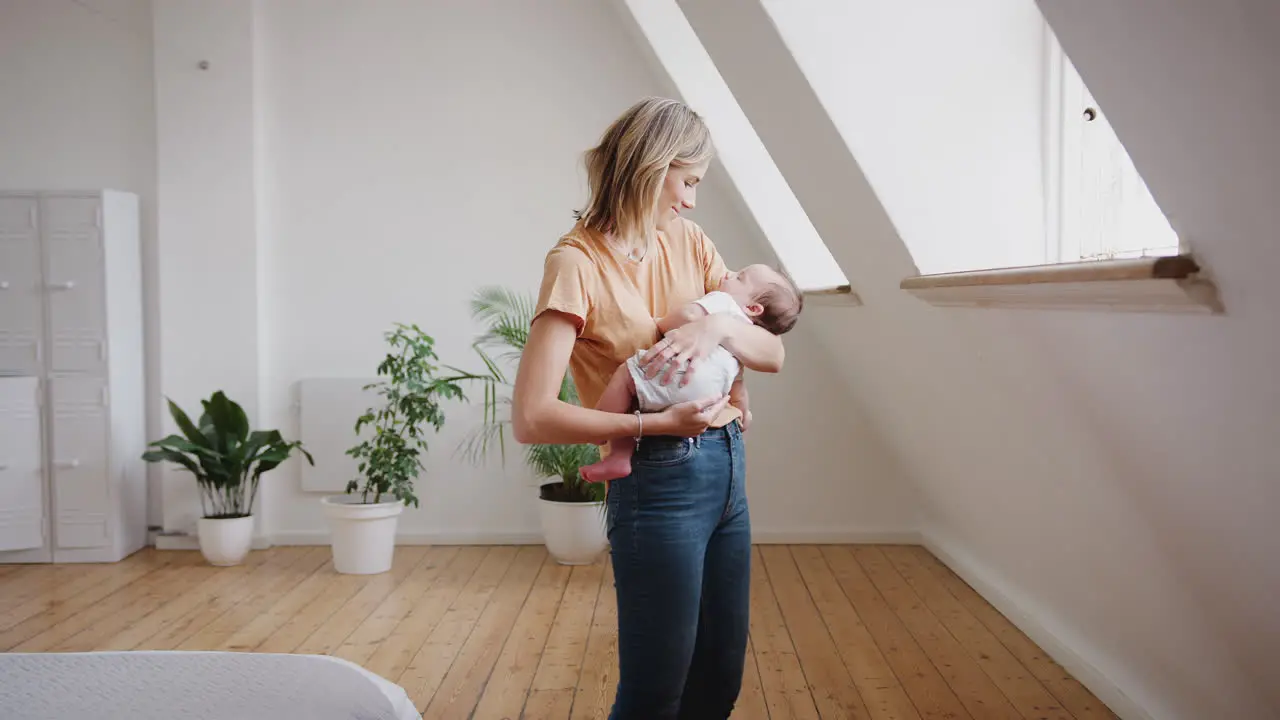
572,511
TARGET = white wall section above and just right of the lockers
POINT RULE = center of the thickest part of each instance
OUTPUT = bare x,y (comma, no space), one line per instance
79,113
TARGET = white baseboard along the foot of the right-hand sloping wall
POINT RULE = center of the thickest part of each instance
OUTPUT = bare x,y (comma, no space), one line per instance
1022,616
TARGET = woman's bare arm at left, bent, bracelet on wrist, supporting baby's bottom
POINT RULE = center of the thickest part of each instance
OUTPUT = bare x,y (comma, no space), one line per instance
540,417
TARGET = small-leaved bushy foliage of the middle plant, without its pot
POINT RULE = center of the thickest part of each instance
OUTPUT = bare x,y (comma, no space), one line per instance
413,391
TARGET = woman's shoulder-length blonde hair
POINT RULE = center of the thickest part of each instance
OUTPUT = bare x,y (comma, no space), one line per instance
625,172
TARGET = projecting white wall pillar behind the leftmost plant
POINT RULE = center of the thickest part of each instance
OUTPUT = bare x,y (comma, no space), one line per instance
207,194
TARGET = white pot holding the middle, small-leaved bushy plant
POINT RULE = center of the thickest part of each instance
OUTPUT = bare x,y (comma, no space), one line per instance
363,535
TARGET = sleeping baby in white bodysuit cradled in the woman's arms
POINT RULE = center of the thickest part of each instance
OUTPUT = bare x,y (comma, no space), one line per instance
757,294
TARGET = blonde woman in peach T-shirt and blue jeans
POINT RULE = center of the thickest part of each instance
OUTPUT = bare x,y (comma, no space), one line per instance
679,525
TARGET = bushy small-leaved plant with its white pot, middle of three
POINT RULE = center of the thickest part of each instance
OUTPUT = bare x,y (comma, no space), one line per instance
363,522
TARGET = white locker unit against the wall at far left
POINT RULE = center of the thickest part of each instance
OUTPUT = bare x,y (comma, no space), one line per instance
72,409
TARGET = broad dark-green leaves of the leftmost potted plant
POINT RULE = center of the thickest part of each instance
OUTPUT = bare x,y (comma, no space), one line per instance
227,459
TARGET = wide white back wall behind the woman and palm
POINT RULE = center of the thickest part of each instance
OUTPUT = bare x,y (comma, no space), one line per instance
418,152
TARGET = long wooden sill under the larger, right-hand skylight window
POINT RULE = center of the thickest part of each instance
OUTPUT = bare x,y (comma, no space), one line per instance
1144,285
